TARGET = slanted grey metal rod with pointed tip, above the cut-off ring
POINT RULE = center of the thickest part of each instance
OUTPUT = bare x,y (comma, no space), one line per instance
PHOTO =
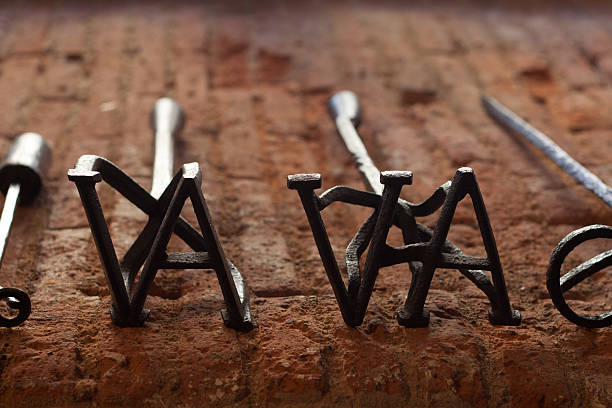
509,119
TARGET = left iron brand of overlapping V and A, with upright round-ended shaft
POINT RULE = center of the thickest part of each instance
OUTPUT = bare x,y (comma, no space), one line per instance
163,207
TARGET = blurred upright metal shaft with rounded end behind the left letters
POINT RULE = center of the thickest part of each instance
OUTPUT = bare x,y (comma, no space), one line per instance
167,120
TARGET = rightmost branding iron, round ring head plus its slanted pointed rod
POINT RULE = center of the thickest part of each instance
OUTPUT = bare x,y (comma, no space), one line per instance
556,284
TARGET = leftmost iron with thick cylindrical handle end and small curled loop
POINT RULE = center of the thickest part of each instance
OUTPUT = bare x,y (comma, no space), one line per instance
21,175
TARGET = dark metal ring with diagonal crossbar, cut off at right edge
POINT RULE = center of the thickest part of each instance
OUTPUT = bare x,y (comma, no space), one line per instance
557,285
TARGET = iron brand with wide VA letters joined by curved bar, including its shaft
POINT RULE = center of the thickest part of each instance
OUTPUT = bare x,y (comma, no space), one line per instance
425,250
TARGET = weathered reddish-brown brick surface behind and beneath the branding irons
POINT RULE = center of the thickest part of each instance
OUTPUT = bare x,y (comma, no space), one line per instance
254,79
